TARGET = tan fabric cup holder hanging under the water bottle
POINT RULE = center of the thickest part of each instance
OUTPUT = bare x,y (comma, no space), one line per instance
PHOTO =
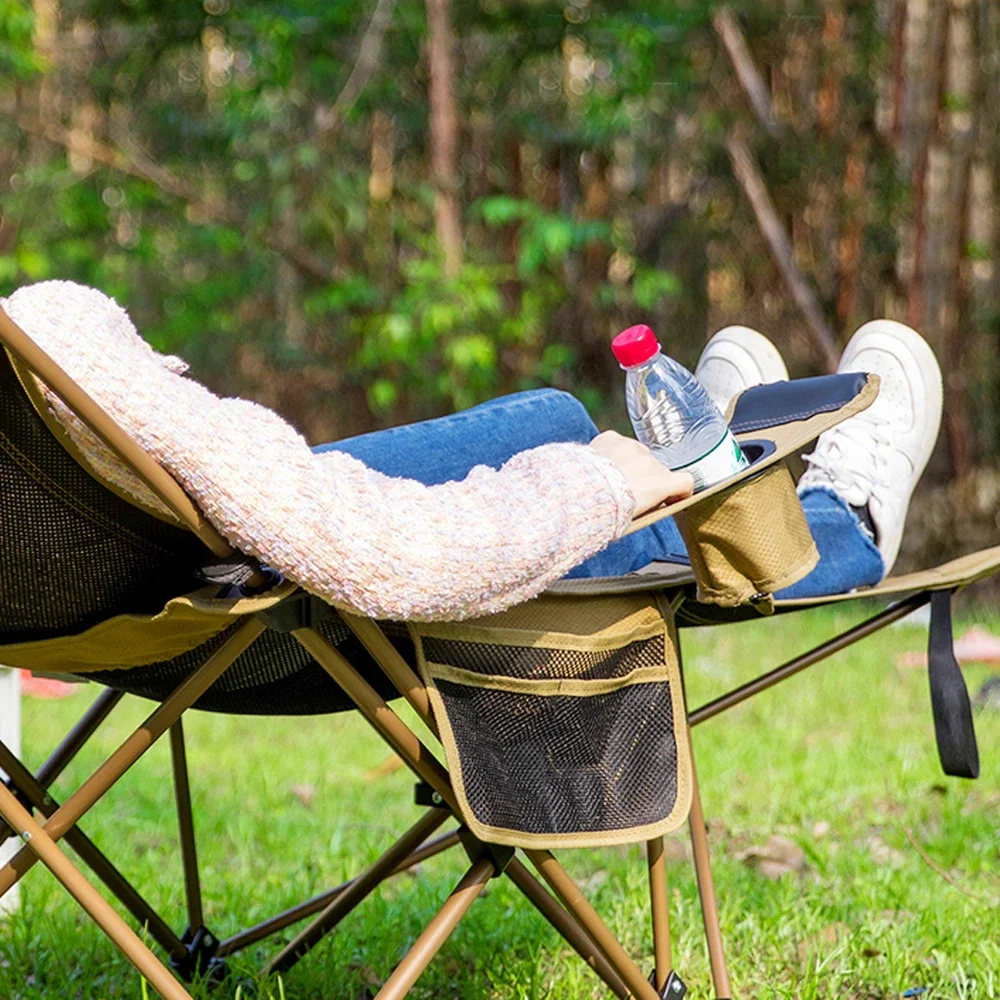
750,541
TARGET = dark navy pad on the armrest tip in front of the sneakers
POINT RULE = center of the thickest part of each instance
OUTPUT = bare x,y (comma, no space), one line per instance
784,402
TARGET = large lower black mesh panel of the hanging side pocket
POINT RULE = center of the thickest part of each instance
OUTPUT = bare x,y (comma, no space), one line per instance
563,765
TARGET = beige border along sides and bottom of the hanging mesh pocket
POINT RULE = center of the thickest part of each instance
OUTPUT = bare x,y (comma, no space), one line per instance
586,838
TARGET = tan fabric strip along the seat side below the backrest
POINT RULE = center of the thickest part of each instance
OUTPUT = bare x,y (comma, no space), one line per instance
185,623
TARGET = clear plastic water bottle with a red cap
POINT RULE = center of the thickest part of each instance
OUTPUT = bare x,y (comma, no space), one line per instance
672,414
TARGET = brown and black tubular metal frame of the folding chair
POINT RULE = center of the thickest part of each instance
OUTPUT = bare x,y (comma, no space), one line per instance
562,904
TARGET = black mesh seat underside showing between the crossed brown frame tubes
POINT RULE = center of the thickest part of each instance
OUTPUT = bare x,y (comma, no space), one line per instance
275,676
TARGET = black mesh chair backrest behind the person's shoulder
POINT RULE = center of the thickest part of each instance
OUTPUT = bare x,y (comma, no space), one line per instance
73,552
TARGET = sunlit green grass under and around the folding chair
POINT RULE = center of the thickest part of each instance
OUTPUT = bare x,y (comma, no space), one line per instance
841,760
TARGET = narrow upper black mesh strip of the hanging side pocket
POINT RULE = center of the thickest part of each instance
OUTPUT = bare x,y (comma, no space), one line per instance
538,663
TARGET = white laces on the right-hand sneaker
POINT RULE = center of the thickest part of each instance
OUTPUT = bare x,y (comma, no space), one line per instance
852,457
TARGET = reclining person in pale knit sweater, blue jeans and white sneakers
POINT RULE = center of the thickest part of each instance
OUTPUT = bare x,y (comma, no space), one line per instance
471,513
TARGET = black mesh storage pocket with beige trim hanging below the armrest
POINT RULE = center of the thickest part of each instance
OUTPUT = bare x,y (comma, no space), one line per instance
562,720
